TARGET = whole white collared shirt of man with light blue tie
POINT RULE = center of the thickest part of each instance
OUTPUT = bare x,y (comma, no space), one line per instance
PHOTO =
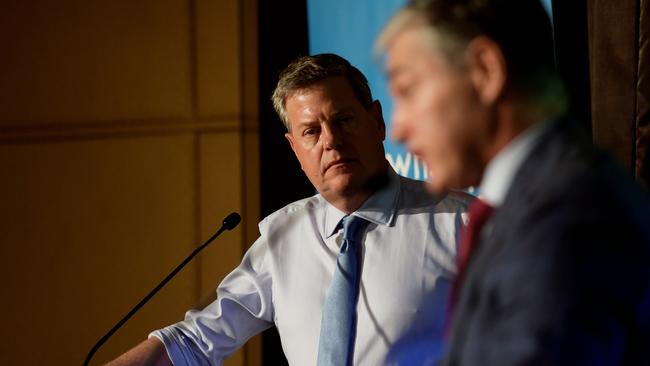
407,265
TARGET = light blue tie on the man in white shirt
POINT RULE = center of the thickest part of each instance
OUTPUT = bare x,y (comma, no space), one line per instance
338,324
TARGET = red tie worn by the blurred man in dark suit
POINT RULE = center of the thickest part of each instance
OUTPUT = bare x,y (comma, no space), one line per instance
479,212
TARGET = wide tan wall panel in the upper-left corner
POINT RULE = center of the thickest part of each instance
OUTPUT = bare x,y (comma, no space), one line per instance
90,61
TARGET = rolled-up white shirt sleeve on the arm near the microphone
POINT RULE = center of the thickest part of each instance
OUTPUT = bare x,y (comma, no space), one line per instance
242,309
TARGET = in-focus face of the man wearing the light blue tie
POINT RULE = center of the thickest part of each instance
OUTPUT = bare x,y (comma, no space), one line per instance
337,141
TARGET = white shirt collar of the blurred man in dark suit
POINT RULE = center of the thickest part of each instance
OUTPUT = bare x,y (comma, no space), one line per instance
501,170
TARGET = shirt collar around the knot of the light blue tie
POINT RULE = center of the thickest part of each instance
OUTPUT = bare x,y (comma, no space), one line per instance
379,208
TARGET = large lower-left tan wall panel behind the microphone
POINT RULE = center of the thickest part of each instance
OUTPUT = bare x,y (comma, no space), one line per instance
88,228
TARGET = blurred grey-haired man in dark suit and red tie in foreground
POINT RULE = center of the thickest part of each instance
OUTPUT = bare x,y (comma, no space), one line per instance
559,273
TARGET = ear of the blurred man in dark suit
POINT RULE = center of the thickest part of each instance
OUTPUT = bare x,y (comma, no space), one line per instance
487,69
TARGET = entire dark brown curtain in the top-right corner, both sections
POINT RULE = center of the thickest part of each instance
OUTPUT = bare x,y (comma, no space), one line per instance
620,85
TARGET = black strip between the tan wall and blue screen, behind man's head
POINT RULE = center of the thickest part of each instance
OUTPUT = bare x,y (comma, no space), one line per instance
282,37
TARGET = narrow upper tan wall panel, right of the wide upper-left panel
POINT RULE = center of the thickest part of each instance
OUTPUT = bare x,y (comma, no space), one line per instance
218,57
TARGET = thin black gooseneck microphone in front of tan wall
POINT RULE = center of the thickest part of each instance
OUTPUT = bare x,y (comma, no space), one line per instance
229,223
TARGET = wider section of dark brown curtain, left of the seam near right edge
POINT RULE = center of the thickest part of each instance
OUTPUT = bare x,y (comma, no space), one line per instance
613,60
